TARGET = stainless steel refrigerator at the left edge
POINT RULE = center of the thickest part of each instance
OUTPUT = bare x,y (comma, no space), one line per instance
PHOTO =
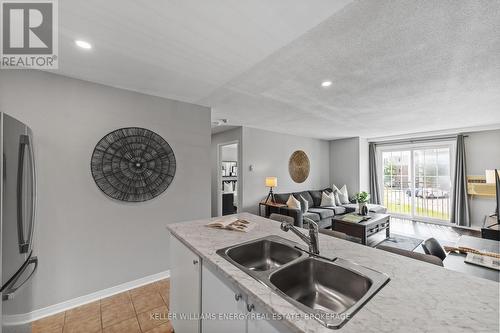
17,218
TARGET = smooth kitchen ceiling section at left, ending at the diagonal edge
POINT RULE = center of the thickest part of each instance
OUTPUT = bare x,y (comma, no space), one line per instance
180,49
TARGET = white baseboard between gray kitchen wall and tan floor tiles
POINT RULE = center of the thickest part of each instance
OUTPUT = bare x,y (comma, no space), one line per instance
21,319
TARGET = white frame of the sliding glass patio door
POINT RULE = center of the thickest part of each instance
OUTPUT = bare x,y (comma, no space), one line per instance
451,144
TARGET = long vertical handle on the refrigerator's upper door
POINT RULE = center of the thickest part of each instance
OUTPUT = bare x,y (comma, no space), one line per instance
25,244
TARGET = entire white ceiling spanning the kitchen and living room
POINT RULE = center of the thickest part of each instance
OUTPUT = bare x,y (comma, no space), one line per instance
397,67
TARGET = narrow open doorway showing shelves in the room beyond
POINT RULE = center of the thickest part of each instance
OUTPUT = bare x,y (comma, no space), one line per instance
228,174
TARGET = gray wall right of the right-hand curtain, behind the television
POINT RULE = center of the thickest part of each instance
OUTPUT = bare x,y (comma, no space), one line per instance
483,152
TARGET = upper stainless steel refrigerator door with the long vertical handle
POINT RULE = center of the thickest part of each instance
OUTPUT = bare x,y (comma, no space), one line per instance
18,192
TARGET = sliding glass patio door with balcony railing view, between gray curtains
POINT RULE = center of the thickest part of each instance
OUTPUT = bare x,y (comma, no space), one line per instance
417,181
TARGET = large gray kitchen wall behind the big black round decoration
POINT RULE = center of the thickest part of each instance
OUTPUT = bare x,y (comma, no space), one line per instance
85,241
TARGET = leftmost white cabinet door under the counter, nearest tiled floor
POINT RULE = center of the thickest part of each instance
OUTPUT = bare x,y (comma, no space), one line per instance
185,287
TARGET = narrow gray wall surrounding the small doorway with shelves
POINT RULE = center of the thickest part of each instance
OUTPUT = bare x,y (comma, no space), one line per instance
223,137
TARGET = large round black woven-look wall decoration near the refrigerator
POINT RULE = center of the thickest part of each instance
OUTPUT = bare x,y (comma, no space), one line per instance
133,164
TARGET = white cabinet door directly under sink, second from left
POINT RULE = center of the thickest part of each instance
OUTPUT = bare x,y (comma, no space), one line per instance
220,299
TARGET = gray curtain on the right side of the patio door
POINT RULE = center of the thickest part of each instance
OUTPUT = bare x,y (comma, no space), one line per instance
460,214
